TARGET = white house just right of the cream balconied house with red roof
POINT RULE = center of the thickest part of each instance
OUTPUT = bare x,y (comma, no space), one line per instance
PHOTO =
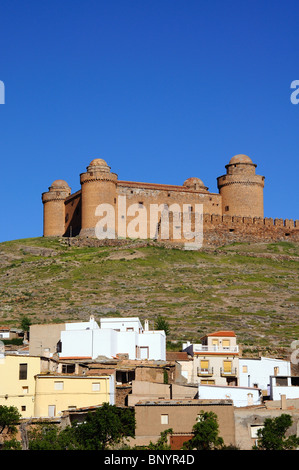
256,372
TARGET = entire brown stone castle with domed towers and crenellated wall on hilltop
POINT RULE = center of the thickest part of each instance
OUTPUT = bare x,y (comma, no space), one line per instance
236,213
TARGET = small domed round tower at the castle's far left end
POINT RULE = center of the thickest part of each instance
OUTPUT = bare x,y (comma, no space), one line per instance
54,208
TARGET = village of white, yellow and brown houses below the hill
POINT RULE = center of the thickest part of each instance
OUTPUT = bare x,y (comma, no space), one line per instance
61,373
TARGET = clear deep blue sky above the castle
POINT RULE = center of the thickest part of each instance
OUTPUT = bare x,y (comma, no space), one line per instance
161,89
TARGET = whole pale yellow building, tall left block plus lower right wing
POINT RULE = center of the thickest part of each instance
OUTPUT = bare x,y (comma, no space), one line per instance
30,384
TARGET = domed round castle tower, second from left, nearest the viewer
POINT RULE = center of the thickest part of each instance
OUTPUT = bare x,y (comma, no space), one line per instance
98,186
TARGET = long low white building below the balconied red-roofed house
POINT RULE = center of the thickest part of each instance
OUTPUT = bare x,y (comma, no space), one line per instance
241,396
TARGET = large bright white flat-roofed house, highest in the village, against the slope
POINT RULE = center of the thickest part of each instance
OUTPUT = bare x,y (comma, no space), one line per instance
115,336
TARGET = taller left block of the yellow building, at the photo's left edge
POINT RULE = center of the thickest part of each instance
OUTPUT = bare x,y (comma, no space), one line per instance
17,382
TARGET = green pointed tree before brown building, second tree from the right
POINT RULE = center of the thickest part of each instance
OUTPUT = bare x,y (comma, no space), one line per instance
205,433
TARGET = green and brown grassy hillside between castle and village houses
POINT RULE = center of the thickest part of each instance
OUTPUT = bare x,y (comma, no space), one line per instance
234,287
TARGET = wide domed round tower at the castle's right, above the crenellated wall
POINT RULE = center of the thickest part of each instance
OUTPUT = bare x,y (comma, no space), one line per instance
241,189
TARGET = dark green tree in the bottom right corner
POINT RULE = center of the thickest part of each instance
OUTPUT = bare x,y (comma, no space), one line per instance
273,435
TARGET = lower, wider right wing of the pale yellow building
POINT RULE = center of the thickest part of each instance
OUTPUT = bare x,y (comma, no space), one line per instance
57,393
